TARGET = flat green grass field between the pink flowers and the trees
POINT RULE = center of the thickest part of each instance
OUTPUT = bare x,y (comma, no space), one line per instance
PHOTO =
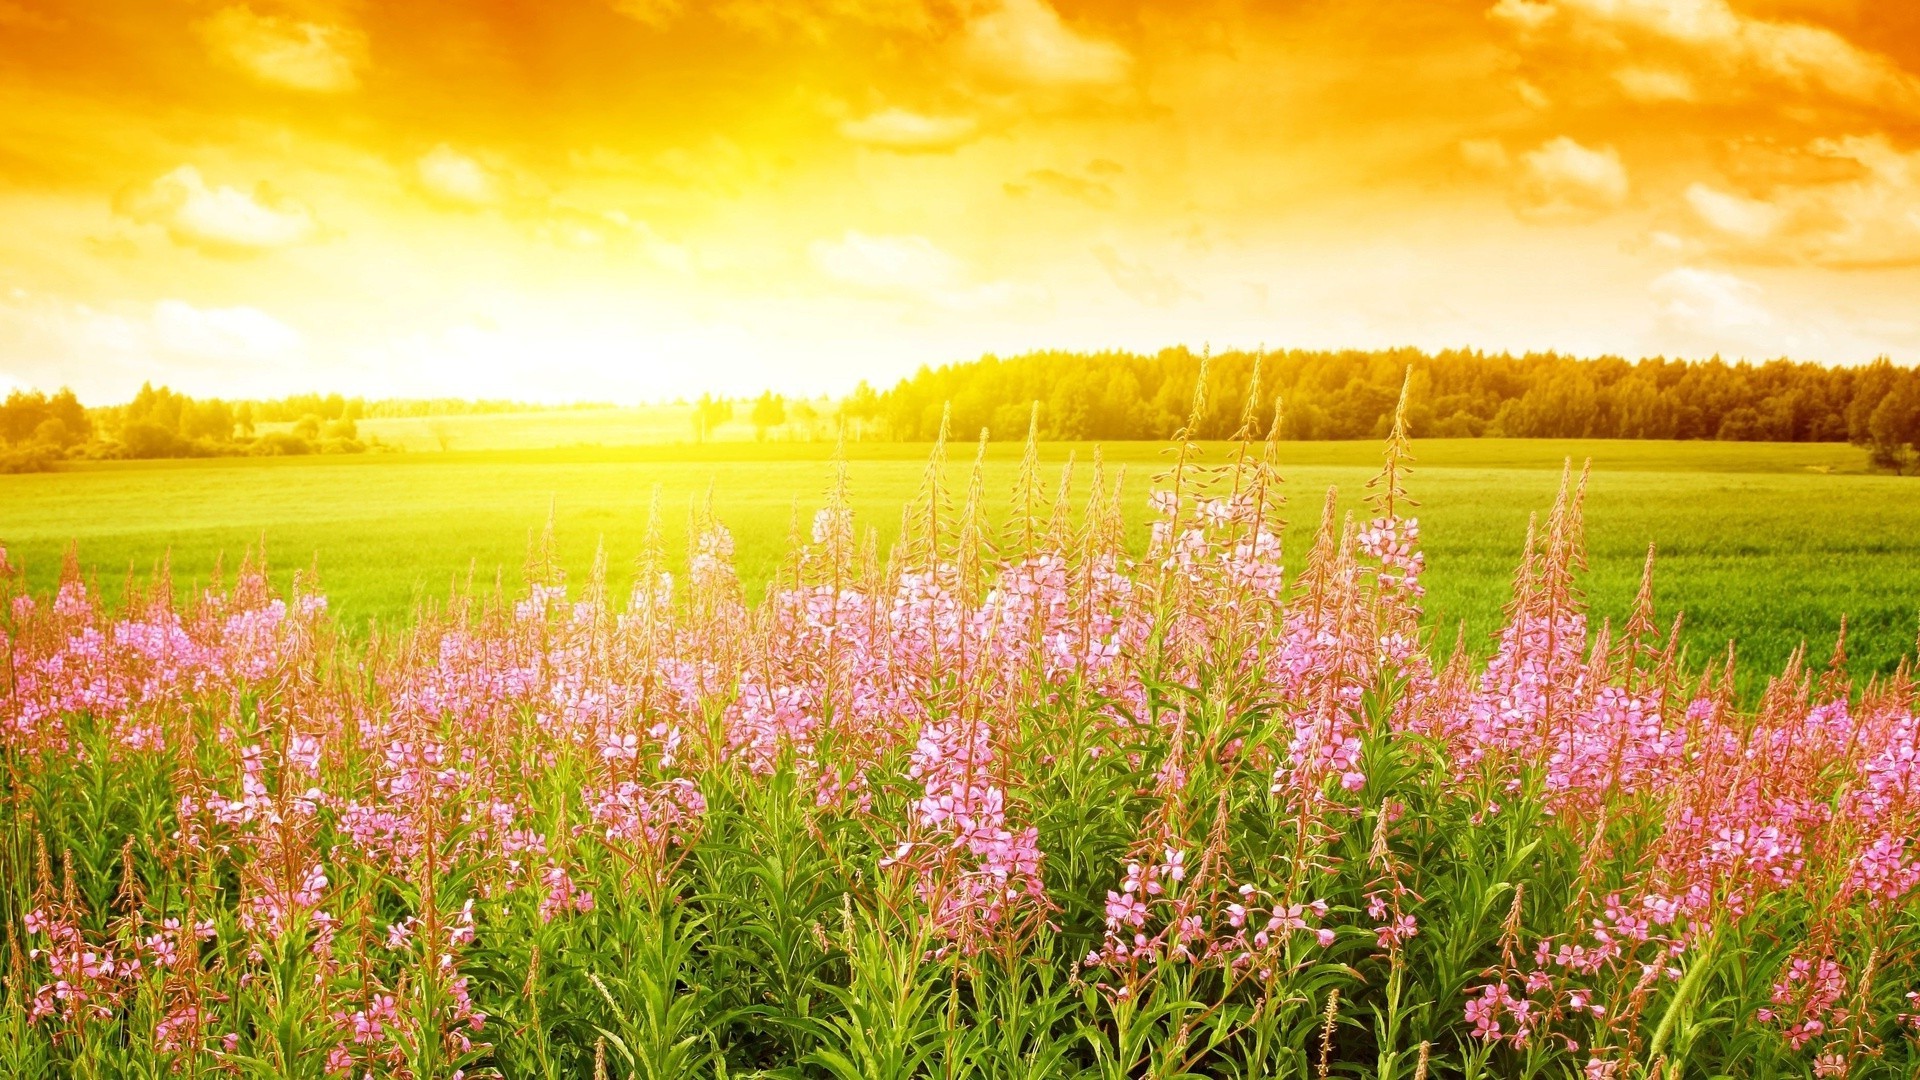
1760,543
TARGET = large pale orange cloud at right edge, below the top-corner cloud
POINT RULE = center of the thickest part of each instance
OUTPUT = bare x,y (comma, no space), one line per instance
1863,216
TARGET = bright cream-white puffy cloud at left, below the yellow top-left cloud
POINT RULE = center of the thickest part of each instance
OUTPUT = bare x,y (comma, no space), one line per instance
218,220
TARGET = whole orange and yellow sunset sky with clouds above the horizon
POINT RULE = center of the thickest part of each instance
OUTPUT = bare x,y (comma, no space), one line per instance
646,199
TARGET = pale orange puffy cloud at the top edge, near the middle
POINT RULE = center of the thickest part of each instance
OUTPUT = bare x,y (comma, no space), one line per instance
1028,43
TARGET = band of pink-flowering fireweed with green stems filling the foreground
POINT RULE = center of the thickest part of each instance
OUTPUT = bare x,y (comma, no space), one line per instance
1003,804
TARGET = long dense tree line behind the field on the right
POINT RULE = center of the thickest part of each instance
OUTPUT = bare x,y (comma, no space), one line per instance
1454,395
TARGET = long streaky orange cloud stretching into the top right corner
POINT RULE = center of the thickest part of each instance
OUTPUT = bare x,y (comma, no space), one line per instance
1733,53
